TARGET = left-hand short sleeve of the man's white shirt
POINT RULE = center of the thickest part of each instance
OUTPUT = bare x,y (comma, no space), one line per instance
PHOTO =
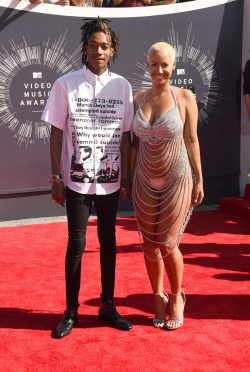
56,109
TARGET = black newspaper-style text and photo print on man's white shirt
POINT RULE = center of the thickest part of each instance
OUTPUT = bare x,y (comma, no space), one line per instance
96,144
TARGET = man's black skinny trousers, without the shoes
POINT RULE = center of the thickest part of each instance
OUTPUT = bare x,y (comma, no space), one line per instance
78,210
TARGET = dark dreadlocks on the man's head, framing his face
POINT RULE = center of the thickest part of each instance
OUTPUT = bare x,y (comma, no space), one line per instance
93,25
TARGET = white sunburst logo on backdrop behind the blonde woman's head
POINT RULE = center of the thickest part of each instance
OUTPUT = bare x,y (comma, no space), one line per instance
198,65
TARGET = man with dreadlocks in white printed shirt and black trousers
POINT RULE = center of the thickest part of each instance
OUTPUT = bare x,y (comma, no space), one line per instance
91,109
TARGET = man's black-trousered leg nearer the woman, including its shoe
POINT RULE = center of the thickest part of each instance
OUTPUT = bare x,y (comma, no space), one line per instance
106,208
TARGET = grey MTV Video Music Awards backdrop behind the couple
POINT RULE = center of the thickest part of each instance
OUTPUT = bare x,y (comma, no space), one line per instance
39,43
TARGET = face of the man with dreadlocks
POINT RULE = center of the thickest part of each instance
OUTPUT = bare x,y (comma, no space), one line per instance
98,50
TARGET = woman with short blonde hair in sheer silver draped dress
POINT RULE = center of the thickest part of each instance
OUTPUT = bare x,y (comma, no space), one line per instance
167,182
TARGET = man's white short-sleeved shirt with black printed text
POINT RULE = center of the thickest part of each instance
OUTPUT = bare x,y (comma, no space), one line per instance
93,111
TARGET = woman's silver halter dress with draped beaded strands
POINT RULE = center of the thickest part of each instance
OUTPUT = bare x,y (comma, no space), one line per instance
163,180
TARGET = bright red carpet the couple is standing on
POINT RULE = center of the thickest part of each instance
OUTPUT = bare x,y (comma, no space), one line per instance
215,335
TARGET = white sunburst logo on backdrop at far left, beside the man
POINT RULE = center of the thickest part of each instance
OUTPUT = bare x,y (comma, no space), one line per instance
50,56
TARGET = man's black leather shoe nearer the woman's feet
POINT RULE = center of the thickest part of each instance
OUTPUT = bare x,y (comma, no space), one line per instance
108,312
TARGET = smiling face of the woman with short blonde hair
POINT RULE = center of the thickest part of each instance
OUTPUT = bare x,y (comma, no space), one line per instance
160,65
